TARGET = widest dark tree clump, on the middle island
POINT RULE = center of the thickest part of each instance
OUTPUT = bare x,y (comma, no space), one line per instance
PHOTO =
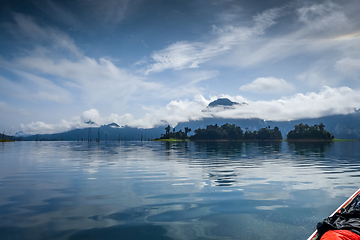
233,132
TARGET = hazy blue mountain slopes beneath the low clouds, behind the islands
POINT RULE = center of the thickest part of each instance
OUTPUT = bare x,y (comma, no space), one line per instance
341,126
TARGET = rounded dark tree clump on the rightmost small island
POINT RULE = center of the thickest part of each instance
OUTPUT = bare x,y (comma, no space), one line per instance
306,132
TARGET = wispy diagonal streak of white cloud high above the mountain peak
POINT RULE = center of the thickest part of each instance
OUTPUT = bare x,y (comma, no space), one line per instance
183,54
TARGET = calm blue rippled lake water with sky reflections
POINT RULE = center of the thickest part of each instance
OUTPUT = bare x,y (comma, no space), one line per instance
158,190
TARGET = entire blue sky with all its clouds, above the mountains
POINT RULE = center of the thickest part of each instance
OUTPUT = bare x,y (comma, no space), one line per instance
145,63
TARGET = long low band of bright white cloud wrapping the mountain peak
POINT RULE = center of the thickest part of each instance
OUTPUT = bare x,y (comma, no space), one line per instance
328,101
